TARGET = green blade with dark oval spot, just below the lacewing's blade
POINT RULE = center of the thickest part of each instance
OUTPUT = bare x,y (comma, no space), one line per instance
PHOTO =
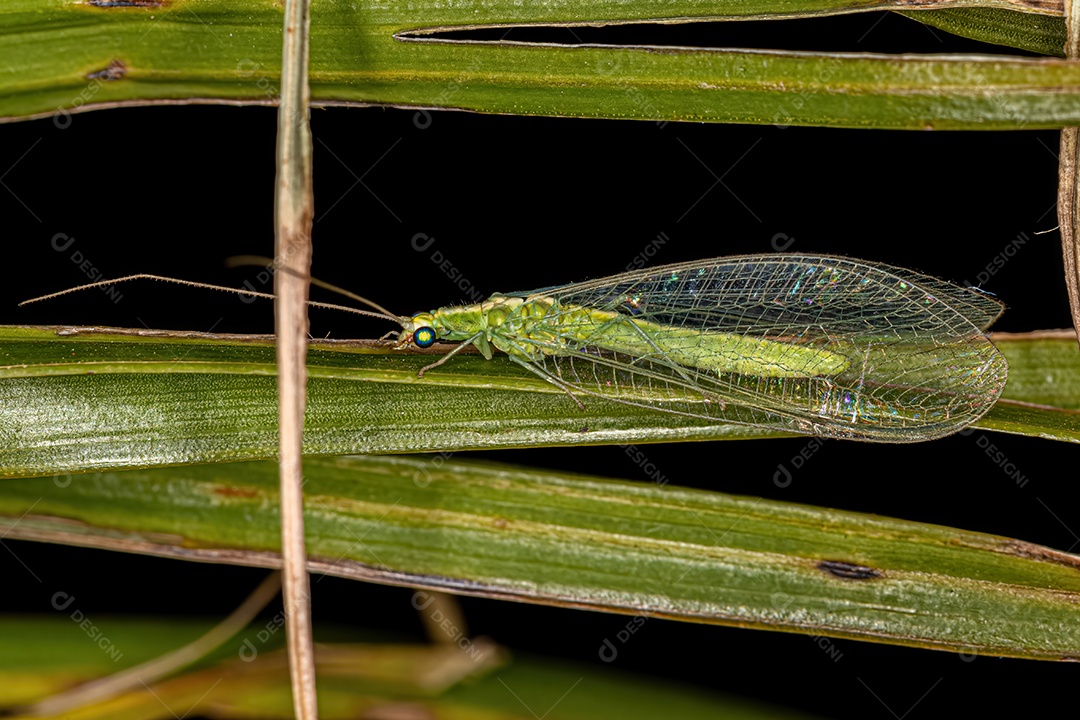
571,541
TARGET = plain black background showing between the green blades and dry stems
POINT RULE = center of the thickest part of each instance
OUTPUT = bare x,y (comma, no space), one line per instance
516,203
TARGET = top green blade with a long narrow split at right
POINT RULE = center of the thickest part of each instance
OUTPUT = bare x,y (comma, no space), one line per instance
71,57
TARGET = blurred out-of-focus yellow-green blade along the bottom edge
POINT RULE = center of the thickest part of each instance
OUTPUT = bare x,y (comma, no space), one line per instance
39,656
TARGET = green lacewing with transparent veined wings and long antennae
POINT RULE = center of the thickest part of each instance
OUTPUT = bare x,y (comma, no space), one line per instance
805,344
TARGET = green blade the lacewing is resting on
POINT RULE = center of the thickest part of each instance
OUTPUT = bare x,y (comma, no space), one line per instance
90,401
